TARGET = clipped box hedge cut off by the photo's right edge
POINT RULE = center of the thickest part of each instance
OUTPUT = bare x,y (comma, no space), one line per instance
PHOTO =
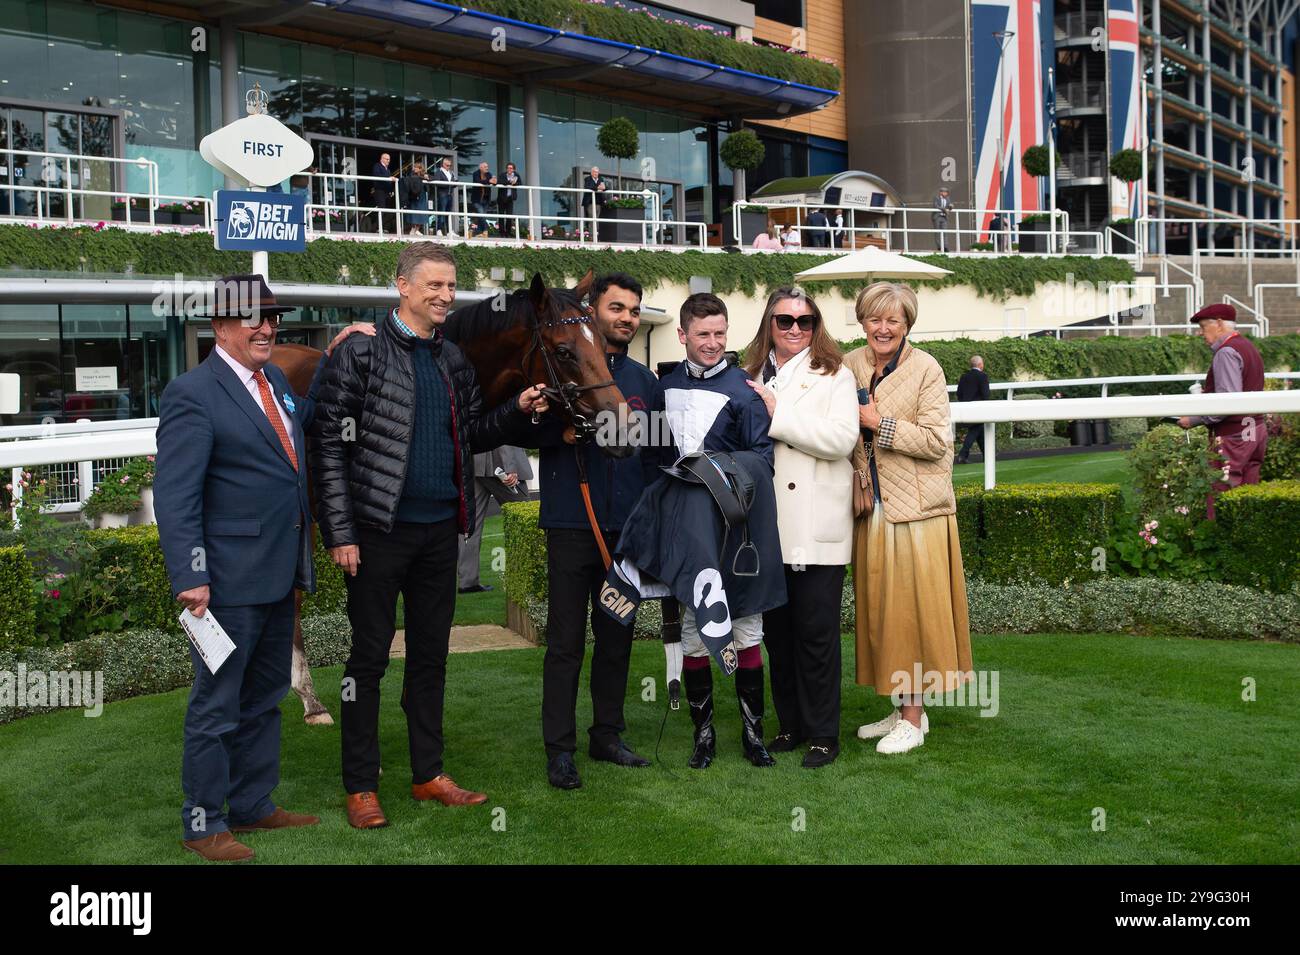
1262,527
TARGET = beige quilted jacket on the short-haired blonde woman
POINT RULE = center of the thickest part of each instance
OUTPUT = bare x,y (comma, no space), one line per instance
915,446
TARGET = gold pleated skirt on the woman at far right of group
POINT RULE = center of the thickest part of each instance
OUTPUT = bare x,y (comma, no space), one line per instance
912,613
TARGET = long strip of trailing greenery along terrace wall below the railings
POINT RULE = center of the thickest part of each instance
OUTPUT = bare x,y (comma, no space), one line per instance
84,250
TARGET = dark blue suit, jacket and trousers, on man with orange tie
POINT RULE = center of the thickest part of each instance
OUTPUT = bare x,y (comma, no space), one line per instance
233,514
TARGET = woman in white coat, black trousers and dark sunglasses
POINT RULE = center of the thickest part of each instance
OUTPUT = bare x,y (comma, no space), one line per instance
798,370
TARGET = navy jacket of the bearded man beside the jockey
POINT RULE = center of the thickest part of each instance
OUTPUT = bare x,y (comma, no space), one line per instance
616,484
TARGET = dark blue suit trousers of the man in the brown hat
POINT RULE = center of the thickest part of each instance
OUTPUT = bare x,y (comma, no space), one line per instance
232,726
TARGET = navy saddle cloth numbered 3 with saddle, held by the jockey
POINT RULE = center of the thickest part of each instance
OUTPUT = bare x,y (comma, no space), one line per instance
709,539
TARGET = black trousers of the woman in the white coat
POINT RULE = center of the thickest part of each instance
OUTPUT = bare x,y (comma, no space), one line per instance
803,641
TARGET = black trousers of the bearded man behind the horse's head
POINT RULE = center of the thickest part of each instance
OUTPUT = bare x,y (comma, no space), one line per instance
575,574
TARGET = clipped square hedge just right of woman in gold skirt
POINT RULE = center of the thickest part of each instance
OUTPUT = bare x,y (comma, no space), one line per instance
1045,532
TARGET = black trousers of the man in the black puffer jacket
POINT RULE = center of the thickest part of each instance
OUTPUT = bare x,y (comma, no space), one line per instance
419,562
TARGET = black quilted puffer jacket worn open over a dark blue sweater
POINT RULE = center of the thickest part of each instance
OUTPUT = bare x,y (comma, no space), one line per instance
362,431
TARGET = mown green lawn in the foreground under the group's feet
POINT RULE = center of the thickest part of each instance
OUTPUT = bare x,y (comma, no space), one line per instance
1152,731
